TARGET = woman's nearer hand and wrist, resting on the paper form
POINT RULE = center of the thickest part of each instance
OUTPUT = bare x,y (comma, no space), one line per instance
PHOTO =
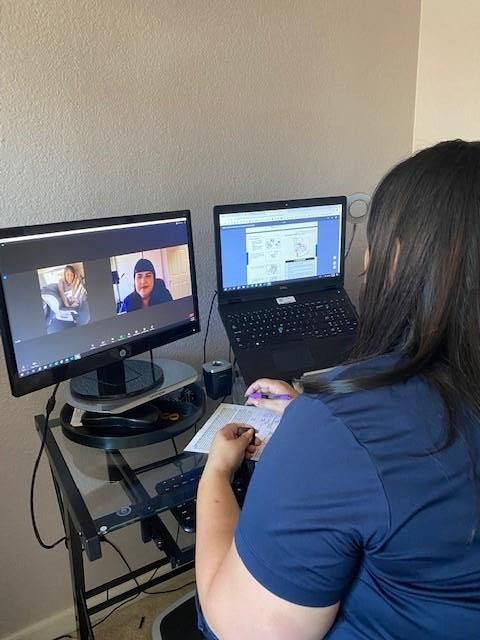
231,445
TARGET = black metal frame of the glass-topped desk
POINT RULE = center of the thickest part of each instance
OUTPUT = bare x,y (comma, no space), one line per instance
84,534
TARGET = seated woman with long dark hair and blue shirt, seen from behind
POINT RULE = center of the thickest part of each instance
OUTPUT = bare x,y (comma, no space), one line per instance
362,517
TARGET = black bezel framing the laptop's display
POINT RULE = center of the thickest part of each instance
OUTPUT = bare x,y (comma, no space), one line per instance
303,286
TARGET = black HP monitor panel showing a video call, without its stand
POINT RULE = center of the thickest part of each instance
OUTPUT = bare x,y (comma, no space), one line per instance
76,295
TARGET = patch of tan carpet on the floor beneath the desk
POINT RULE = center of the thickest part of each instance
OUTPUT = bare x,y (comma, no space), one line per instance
126,623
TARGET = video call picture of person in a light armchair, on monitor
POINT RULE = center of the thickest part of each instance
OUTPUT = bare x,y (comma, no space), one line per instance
64,296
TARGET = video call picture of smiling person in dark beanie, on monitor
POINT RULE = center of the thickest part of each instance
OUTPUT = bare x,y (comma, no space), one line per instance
143,279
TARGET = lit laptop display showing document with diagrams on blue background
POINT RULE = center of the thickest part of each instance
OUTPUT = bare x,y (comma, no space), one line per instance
273,246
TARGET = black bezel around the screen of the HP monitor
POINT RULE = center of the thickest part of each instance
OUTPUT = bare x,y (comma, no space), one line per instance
21,386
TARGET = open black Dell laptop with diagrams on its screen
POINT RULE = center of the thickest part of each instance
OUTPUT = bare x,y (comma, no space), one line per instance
280,272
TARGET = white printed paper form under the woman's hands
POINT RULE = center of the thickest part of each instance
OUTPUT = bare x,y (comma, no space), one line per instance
263,420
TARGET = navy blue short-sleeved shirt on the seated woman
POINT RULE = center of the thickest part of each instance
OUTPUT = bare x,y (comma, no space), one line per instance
350,503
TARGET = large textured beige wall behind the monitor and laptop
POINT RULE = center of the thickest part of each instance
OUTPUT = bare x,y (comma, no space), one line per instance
121,106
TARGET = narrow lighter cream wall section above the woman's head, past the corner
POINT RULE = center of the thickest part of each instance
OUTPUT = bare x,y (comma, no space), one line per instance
448,83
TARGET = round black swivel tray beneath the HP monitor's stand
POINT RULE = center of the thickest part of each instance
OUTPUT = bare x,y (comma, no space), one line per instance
157,420
